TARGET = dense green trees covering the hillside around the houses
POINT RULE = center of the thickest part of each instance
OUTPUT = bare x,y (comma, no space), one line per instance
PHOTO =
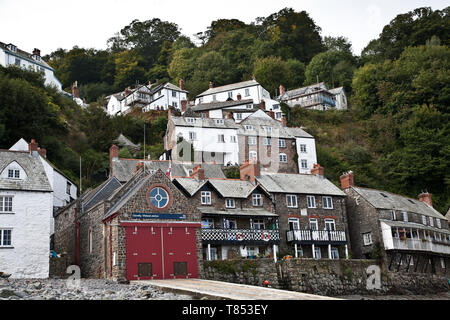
395,136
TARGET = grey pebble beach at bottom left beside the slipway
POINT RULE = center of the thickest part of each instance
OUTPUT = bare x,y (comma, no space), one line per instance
89,289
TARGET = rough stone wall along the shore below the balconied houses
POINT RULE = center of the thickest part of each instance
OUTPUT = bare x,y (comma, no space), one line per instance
322,277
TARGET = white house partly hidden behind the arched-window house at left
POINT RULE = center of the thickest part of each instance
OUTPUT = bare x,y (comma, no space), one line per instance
64,190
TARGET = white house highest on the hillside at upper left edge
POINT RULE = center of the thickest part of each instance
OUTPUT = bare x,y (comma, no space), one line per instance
11,55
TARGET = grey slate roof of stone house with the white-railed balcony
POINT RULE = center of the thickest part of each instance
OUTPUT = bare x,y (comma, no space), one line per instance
298,184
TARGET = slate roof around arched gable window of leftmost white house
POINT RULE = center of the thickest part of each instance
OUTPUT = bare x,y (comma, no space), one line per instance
36,177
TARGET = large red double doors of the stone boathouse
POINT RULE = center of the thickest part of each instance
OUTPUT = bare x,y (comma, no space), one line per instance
161,251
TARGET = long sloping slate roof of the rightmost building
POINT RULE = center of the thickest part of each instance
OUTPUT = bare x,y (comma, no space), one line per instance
393,201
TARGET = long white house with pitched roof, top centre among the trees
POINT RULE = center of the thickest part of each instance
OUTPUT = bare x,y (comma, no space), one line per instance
243,90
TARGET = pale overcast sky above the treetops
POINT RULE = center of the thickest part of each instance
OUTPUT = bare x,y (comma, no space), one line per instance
52,24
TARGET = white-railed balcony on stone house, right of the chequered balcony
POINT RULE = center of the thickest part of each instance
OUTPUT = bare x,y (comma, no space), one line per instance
324,237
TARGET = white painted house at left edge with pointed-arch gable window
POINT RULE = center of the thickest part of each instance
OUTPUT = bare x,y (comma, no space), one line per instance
26,207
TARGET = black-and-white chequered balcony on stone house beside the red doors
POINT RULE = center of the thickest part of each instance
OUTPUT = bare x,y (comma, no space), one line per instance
240,236
